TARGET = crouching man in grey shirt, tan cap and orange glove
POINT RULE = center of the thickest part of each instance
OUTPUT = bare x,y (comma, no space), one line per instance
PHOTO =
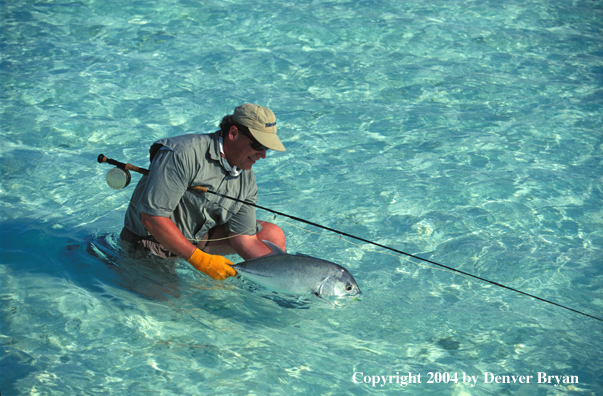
169,220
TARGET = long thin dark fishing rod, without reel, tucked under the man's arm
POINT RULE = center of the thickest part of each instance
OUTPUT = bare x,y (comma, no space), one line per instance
126,167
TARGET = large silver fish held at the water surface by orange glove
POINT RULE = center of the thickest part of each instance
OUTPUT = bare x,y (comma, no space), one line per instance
298,274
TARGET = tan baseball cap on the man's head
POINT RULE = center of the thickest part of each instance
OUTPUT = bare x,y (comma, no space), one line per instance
262,124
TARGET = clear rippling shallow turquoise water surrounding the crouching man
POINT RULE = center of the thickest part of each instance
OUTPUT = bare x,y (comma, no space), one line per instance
467,133
